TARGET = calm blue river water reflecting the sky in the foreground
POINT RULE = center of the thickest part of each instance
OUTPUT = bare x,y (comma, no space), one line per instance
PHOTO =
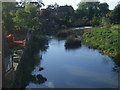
74,68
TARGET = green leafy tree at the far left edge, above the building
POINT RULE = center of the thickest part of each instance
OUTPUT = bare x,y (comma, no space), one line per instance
7,15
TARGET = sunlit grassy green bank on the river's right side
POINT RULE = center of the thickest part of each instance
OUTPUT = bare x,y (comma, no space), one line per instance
104,39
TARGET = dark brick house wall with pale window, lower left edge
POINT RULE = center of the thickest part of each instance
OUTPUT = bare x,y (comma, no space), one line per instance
7,65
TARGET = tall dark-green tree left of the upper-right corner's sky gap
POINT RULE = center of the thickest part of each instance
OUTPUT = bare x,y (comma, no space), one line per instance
88,10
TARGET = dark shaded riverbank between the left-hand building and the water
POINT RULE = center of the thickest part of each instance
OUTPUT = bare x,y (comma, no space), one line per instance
29,59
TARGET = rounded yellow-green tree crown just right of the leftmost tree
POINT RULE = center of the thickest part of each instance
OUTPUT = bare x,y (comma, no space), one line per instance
27,18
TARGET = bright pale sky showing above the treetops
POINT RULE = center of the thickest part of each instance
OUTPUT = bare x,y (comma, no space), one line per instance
111,3
